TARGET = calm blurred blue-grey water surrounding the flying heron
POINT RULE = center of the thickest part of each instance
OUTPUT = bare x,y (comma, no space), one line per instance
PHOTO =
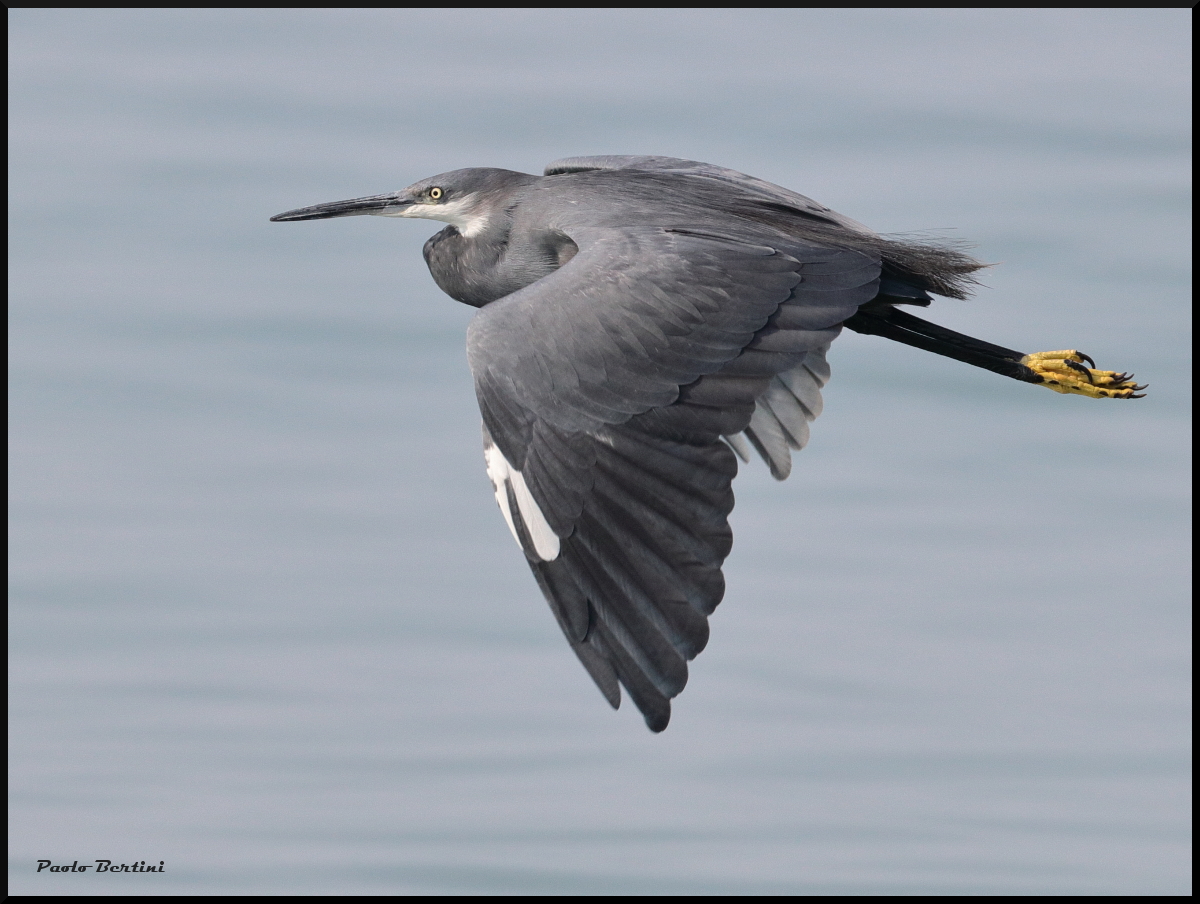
268,626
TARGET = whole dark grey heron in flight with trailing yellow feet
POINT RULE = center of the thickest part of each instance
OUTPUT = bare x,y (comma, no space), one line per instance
644,322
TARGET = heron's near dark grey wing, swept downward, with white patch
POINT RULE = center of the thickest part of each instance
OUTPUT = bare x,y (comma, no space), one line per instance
607,390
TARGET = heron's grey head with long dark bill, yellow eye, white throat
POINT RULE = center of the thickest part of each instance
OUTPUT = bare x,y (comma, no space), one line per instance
469,200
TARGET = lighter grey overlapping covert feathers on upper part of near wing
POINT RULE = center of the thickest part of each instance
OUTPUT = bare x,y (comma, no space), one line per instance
617,331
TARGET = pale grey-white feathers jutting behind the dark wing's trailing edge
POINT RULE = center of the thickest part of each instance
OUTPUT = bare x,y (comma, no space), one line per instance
782,415
